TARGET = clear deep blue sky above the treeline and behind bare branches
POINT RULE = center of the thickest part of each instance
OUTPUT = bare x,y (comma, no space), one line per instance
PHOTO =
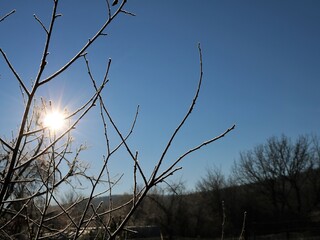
261,64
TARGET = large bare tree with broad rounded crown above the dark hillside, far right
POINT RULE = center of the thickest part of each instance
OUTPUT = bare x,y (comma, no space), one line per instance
279,168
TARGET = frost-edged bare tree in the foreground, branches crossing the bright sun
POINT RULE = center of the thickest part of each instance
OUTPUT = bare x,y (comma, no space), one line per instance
32,162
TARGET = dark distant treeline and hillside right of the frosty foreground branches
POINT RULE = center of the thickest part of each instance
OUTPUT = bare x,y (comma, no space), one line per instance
277,184
